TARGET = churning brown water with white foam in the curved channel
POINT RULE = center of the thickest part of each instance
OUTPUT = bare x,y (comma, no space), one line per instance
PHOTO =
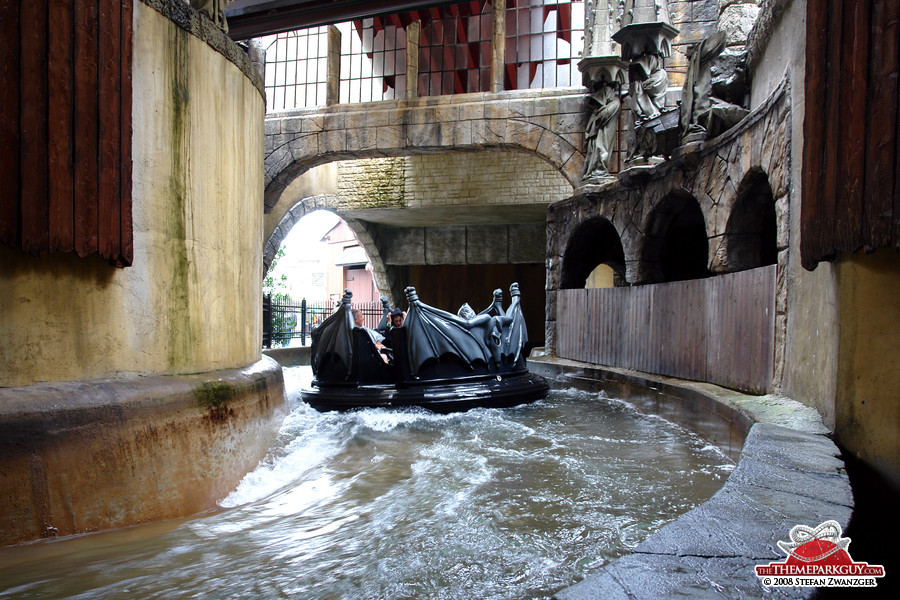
514,503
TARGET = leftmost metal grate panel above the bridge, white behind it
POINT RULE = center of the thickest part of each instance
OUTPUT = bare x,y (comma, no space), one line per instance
296,72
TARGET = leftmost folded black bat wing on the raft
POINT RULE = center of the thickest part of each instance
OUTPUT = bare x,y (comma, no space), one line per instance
331,353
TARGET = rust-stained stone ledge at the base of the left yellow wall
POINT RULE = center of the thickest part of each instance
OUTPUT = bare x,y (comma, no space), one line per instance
86,456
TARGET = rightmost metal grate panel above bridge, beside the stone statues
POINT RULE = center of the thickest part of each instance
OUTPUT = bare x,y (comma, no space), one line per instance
544,41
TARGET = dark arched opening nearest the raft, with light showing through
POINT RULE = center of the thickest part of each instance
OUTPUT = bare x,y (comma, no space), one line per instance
594,242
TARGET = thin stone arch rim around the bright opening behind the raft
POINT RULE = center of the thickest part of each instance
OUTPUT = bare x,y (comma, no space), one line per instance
328,202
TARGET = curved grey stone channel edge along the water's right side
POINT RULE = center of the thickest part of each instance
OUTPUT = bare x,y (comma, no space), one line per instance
788,473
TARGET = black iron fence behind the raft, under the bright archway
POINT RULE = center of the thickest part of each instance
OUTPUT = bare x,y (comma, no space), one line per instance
285,320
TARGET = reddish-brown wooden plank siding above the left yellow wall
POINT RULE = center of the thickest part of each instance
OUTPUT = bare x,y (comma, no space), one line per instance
65,127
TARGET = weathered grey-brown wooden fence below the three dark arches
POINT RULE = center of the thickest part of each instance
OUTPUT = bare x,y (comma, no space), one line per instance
720,330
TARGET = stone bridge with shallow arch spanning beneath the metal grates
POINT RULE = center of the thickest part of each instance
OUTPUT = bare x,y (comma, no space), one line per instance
547,123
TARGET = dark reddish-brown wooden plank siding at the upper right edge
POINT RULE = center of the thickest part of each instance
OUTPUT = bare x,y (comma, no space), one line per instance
851,153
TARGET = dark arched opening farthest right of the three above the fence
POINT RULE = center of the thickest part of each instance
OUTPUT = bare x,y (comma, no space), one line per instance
751,229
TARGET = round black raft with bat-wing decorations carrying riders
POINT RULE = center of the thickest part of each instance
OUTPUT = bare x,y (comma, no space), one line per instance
438,360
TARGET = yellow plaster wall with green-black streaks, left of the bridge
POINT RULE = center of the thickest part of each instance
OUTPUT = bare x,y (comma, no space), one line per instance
191,302
